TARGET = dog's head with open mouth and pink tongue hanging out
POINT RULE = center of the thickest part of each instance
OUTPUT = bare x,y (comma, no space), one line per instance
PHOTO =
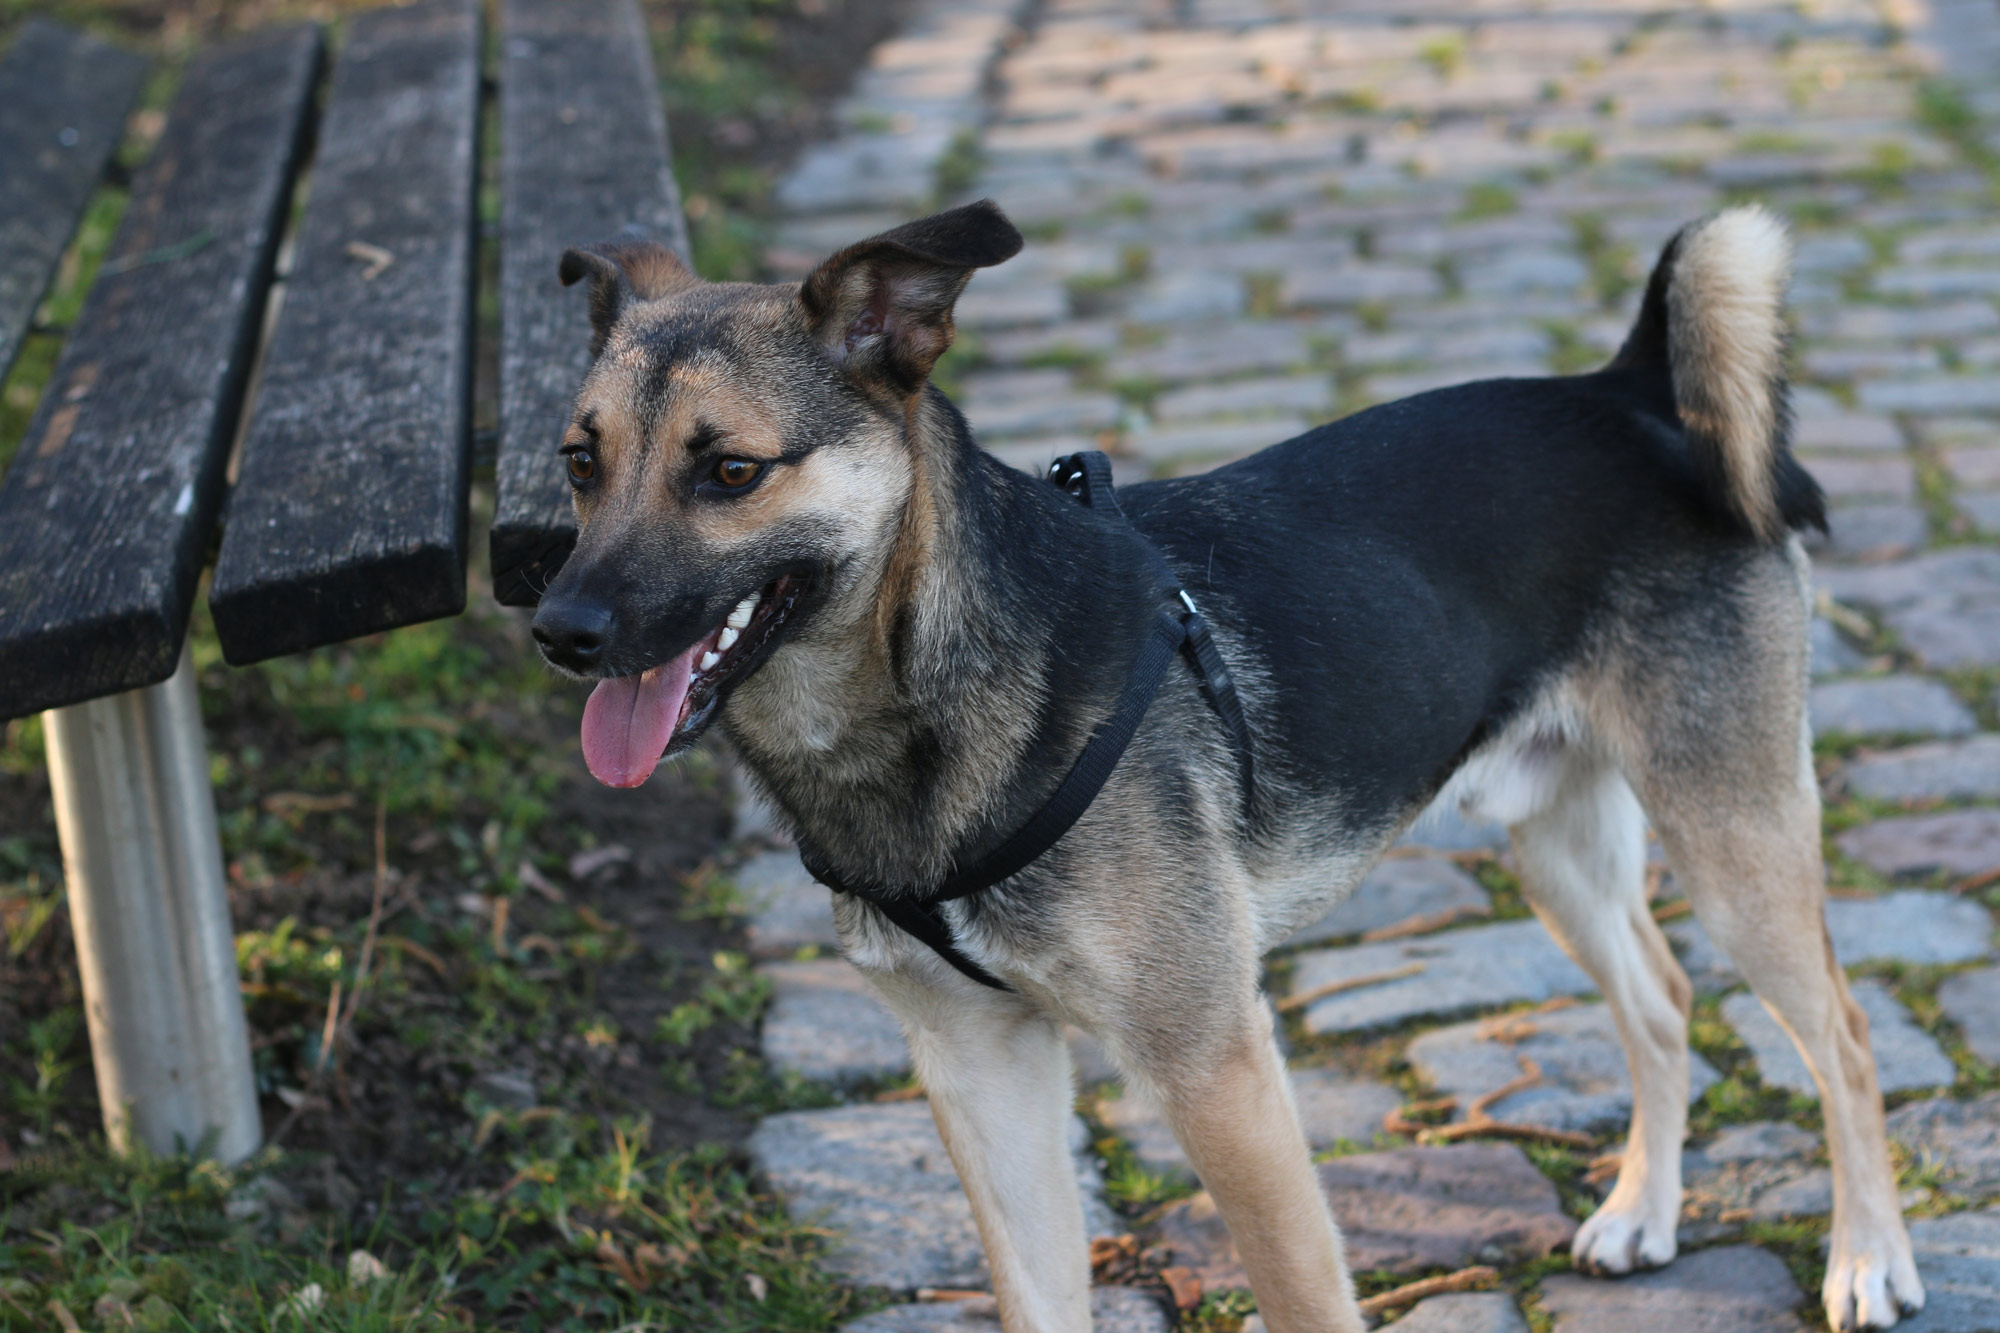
741,461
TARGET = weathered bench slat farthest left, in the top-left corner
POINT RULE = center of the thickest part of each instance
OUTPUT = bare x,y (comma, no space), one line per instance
63,107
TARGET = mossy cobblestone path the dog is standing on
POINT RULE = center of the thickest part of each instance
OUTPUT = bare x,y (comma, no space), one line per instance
1249,217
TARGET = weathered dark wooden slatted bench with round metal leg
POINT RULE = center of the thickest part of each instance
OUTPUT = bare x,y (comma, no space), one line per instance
303,425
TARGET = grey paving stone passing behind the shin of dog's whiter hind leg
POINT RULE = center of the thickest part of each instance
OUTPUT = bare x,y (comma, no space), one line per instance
1585,1080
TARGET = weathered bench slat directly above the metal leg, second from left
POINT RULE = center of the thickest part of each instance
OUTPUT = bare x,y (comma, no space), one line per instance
107,513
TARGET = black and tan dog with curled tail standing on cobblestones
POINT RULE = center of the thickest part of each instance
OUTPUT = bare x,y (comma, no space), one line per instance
1571,605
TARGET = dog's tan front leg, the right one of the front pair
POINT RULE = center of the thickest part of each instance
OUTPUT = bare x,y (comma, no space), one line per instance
1233,1114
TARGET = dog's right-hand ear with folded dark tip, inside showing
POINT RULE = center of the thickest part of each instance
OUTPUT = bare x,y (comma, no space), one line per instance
883,307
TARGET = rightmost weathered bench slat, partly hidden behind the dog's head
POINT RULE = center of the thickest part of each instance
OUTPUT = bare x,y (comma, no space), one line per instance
583,157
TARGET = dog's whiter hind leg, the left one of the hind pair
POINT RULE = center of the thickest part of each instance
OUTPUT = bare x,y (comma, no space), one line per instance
1583,866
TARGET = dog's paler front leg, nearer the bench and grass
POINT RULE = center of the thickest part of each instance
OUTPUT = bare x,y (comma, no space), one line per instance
999,1082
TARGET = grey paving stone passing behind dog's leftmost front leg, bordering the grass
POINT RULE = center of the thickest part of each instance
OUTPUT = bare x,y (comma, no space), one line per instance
879,1176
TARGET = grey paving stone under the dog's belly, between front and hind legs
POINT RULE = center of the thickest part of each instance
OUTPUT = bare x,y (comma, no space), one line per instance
1461,970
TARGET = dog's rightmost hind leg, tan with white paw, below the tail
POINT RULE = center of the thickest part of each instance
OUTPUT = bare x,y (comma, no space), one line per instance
1719,752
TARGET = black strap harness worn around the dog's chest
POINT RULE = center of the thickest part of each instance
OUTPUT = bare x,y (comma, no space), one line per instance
1179,629
